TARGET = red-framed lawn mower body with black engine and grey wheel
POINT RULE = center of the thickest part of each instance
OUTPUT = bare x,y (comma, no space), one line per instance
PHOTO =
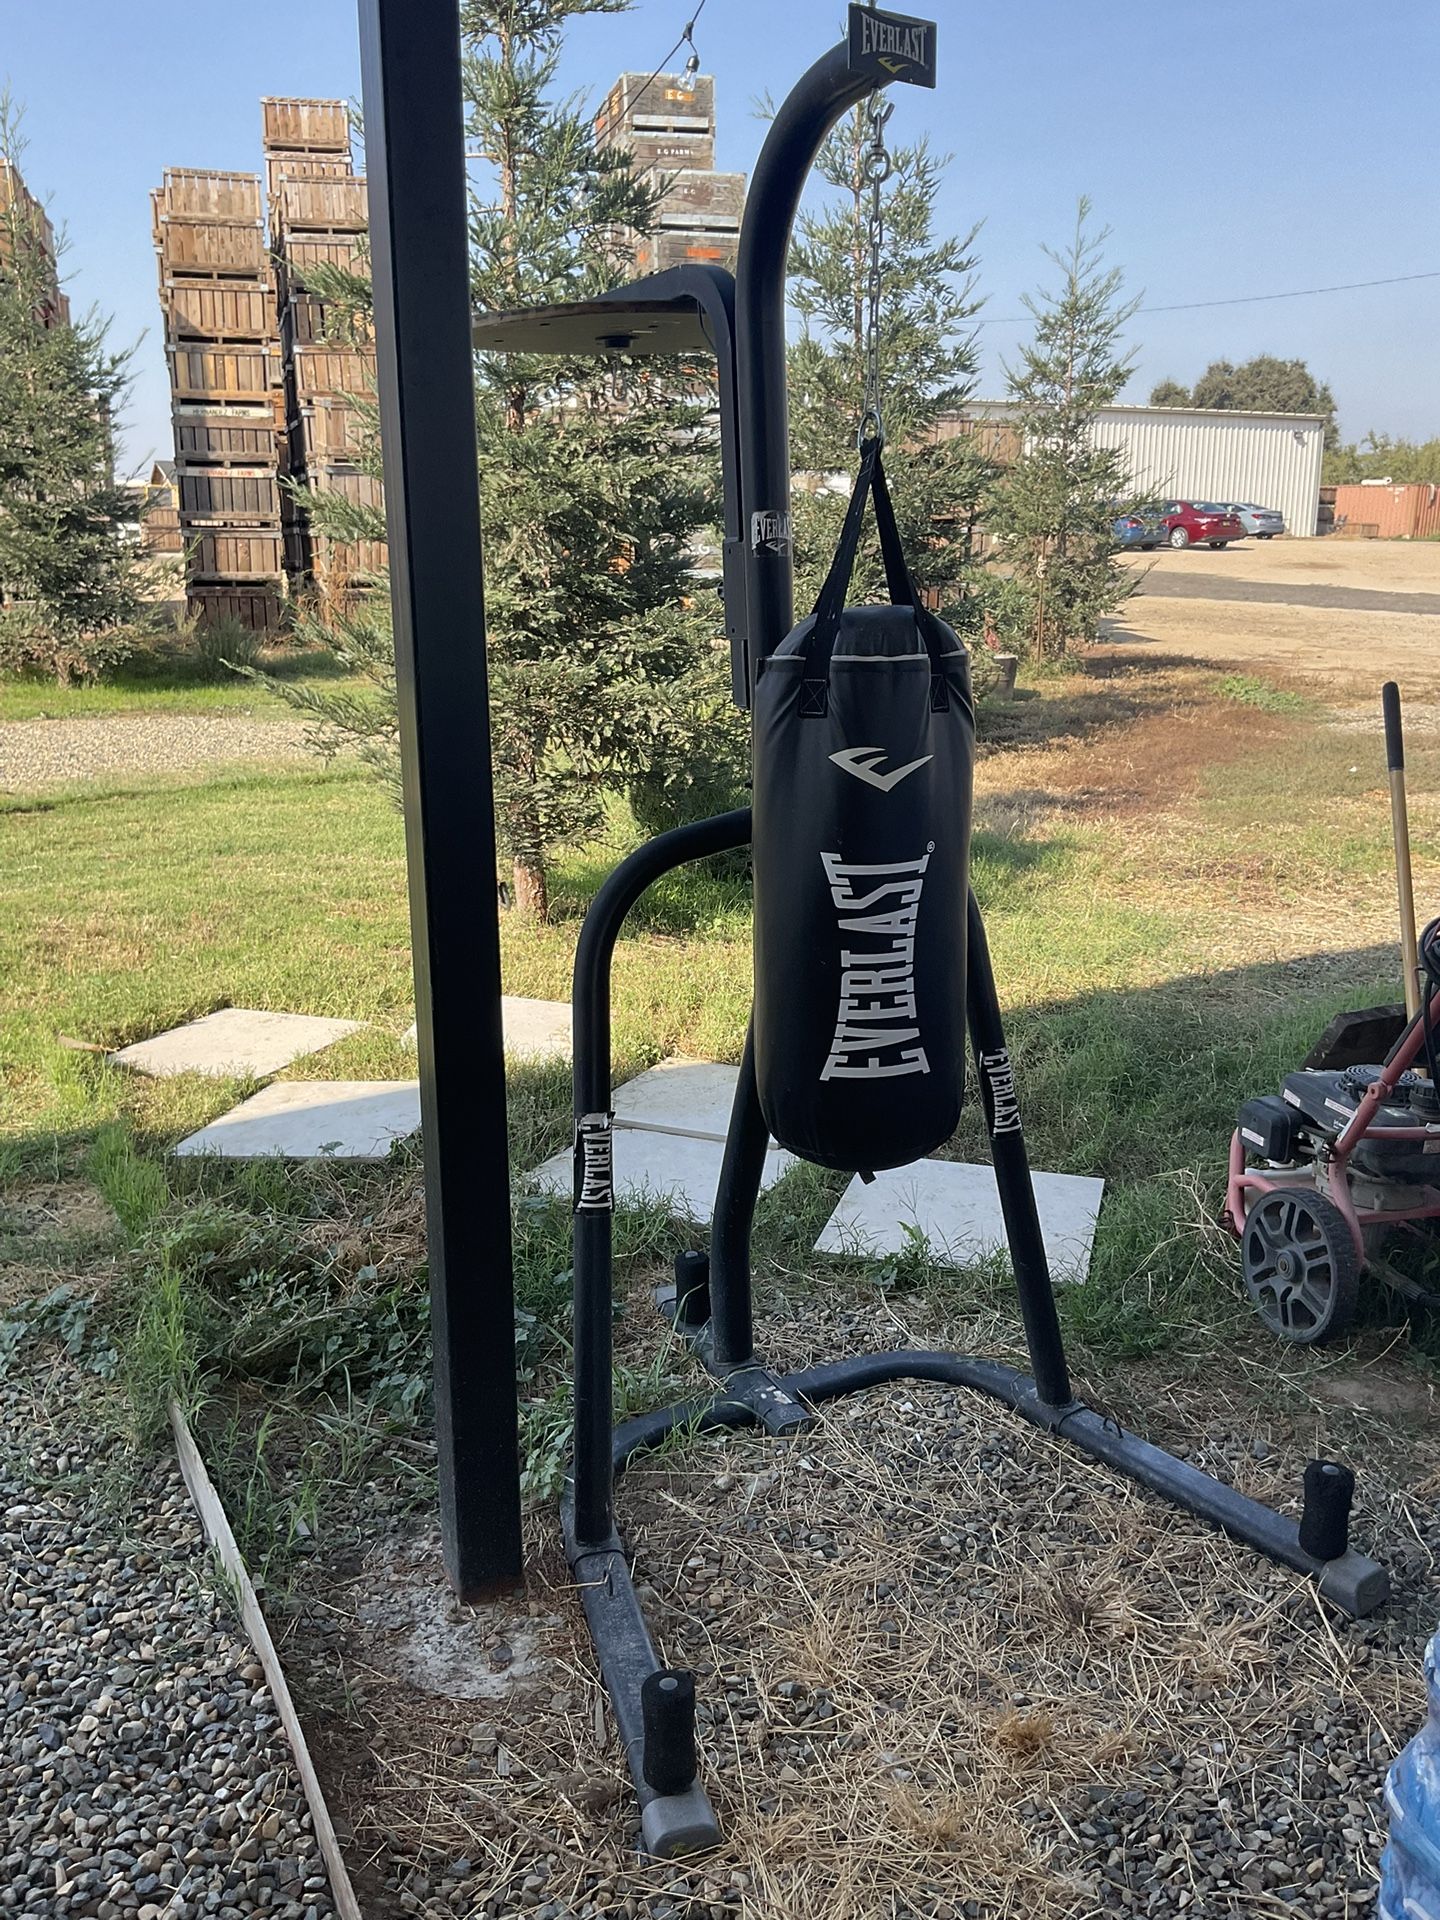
1308,1212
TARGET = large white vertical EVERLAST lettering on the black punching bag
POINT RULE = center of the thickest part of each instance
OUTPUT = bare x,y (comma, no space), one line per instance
876,1036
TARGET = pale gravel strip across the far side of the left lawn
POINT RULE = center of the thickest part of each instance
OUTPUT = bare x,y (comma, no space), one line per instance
49,754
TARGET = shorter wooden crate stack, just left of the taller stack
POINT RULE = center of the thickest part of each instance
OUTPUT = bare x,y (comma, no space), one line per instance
224,354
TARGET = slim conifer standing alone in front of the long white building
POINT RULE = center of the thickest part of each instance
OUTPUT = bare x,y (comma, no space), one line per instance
1057,510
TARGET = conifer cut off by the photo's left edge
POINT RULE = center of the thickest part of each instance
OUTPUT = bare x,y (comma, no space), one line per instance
70,567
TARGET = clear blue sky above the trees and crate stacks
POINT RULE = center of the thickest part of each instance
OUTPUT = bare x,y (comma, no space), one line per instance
1234,149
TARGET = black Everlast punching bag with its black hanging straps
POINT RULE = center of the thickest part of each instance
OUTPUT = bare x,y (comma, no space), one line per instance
865,744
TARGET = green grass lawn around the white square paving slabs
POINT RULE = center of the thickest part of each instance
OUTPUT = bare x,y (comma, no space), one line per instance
1159,963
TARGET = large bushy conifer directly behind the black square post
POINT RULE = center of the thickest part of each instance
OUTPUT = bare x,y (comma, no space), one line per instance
594,483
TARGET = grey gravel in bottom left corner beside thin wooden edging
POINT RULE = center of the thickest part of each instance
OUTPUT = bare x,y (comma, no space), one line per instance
143,1769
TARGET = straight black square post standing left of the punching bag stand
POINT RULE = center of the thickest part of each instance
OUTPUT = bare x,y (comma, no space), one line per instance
416,162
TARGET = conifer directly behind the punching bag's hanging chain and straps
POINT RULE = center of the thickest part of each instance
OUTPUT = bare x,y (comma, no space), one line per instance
926,370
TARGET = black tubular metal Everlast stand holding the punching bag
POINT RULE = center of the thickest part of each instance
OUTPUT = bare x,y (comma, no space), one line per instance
742,322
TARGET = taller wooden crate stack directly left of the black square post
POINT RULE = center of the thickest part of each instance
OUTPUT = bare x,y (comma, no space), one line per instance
320,218
